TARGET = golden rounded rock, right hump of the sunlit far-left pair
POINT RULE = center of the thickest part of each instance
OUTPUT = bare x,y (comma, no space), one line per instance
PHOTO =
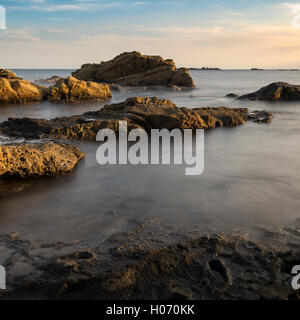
73,90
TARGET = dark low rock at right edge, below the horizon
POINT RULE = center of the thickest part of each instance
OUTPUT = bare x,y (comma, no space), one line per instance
275,91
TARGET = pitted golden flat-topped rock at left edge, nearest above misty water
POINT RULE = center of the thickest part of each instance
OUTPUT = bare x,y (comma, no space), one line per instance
27,160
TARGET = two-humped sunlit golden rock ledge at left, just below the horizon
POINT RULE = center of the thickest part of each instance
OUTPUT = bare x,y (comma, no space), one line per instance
17,91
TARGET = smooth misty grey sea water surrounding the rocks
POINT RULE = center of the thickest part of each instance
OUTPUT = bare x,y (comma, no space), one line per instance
251,176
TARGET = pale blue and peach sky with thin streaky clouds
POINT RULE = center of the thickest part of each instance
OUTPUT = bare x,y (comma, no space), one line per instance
195,33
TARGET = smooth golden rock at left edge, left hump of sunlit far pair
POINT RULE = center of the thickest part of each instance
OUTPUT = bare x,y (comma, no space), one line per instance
20,91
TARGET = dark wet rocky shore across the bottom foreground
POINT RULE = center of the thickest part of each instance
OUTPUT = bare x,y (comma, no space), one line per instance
154,261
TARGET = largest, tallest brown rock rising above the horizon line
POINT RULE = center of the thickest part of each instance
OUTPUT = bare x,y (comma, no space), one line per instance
135,69
